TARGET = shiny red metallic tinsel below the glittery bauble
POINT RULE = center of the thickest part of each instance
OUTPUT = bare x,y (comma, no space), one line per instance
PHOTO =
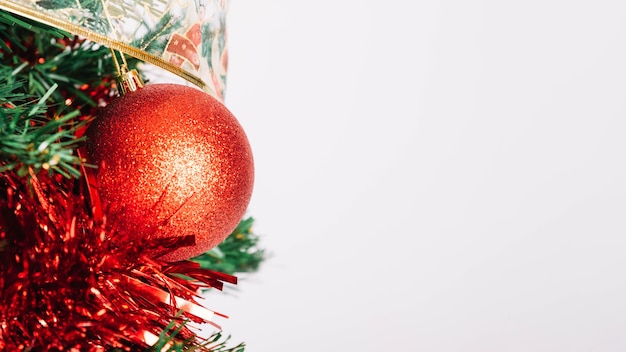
64,286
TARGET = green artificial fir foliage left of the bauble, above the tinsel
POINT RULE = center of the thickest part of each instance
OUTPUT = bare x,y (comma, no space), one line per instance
47,86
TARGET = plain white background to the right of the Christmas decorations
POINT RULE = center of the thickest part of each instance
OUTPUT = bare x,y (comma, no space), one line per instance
432,175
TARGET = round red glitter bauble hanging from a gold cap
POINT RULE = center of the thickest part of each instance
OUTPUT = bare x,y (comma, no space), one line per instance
172,162
